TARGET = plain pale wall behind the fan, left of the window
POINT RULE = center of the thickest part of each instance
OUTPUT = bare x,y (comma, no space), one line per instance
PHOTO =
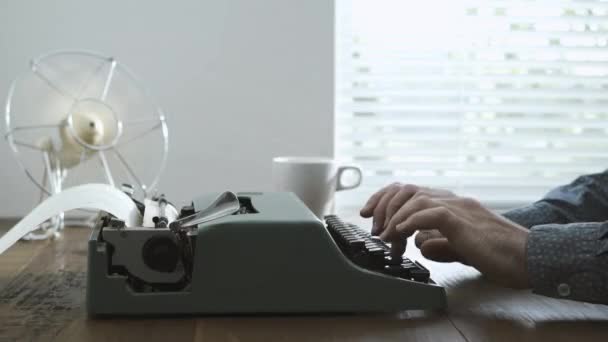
261,71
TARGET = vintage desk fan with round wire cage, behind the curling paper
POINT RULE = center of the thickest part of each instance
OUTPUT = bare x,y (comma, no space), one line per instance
77,117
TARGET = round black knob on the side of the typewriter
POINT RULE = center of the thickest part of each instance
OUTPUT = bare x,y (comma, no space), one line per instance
161,254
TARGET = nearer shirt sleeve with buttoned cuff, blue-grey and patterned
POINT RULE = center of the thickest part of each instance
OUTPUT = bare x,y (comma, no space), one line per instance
569,261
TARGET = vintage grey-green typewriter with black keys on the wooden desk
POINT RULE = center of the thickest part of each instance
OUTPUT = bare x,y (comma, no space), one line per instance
269,255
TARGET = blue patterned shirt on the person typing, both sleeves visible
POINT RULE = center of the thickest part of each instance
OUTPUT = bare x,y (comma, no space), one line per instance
567,250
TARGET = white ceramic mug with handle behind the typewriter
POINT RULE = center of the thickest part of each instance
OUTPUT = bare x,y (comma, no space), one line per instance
313,179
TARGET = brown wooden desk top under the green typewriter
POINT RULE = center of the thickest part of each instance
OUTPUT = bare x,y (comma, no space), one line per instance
42,297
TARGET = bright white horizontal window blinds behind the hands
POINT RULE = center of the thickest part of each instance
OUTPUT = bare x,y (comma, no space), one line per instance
499,100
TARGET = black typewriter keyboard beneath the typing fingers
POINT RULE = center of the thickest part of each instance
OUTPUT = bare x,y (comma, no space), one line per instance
371,253
